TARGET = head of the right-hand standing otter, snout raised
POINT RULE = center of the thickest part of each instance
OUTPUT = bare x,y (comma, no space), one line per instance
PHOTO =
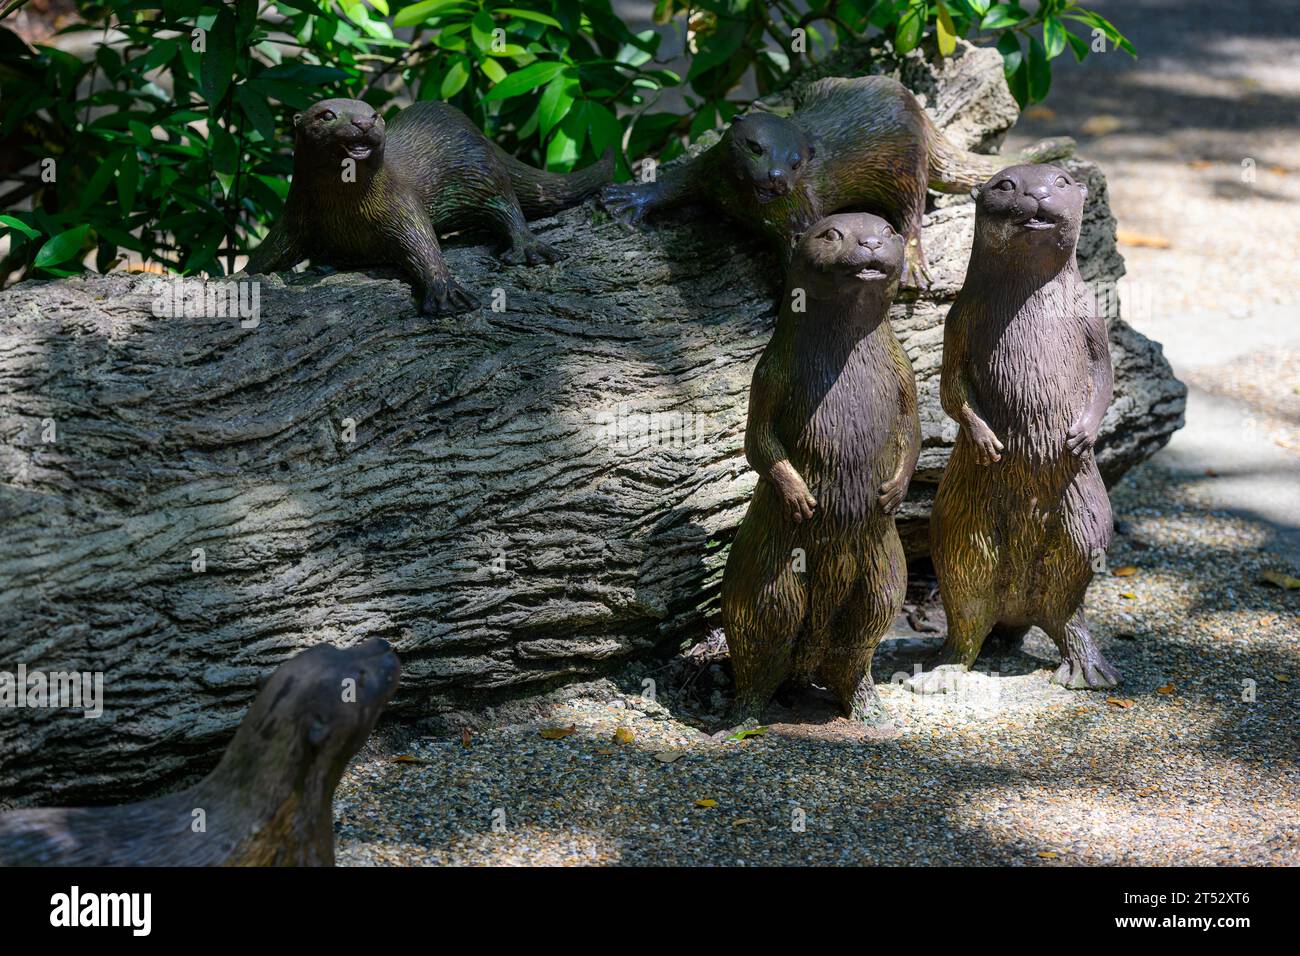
1032,213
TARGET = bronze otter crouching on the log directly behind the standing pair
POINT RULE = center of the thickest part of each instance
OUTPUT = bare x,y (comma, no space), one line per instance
852,144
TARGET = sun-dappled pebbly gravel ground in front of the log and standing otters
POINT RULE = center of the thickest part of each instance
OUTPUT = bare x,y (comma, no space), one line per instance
1175,768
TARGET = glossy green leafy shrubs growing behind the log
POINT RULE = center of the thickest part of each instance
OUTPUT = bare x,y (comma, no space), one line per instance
167,140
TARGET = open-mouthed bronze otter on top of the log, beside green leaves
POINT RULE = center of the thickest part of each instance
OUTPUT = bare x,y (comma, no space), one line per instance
367,193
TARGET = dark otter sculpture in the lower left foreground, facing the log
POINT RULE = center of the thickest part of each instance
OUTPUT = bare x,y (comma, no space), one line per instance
268,803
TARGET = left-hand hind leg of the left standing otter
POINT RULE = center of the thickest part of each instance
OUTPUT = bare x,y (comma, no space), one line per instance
765,603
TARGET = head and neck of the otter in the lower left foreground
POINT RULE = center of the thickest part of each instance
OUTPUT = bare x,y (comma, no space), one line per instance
311,717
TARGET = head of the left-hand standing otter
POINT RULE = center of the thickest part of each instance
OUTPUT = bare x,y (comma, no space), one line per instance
848,254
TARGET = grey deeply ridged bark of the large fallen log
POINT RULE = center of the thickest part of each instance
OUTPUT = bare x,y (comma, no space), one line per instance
531,494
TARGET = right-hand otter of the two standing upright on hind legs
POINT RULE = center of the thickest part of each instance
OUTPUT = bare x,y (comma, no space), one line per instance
1021,514
